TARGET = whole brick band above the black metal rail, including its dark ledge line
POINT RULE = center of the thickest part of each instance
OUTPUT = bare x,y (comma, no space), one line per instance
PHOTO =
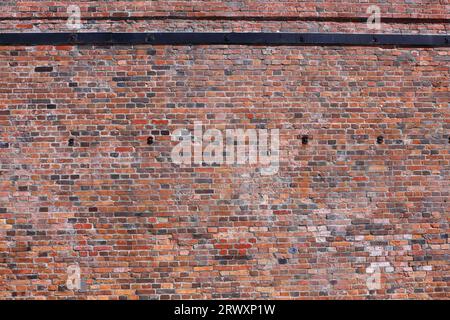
288,16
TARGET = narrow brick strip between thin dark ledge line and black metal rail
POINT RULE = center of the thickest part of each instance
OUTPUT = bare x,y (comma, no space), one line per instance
175,25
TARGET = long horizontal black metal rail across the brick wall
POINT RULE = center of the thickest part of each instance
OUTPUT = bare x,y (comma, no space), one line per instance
221,38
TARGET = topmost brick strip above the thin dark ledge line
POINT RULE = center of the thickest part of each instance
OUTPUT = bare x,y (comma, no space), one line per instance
201,8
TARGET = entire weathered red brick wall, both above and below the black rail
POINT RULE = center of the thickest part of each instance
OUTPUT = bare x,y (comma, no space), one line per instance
142,227
